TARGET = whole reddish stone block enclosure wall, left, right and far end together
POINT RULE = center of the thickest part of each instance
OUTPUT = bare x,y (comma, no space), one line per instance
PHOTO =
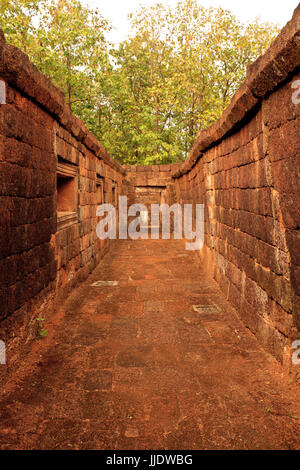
244,168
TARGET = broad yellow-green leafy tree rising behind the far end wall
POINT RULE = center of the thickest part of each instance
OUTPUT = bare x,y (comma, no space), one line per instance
174,76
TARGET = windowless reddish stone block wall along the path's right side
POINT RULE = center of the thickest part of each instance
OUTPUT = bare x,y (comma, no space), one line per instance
245,170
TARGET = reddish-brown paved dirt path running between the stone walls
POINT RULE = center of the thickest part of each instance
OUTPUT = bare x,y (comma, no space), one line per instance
134,366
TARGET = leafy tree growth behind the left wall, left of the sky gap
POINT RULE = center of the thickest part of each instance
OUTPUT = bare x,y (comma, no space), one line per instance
66,41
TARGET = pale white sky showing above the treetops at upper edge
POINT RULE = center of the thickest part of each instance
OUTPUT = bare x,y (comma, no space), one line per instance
276,11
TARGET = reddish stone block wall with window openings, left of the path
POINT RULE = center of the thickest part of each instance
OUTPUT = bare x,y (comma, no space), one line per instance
53,174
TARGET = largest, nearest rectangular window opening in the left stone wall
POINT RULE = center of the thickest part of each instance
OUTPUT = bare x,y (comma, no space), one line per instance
67,194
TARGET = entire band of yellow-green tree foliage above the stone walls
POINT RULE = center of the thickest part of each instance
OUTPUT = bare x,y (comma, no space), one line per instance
147,98
